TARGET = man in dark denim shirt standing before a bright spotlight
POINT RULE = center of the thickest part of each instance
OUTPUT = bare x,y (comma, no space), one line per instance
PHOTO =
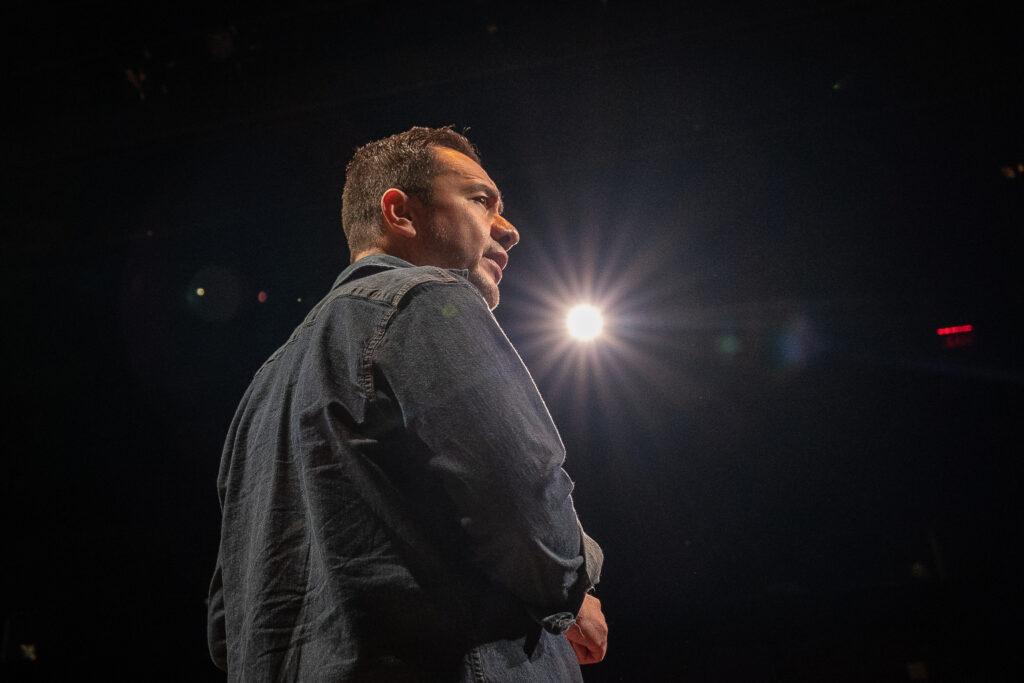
394,502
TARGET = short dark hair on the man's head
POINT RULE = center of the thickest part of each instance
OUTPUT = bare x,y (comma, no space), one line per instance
405,161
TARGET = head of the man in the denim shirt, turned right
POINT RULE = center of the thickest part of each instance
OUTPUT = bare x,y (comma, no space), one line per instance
423,196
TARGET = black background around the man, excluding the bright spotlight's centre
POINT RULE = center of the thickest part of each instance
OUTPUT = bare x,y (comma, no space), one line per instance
794,478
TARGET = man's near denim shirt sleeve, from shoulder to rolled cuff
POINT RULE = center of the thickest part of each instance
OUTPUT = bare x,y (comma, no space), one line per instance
465,393
